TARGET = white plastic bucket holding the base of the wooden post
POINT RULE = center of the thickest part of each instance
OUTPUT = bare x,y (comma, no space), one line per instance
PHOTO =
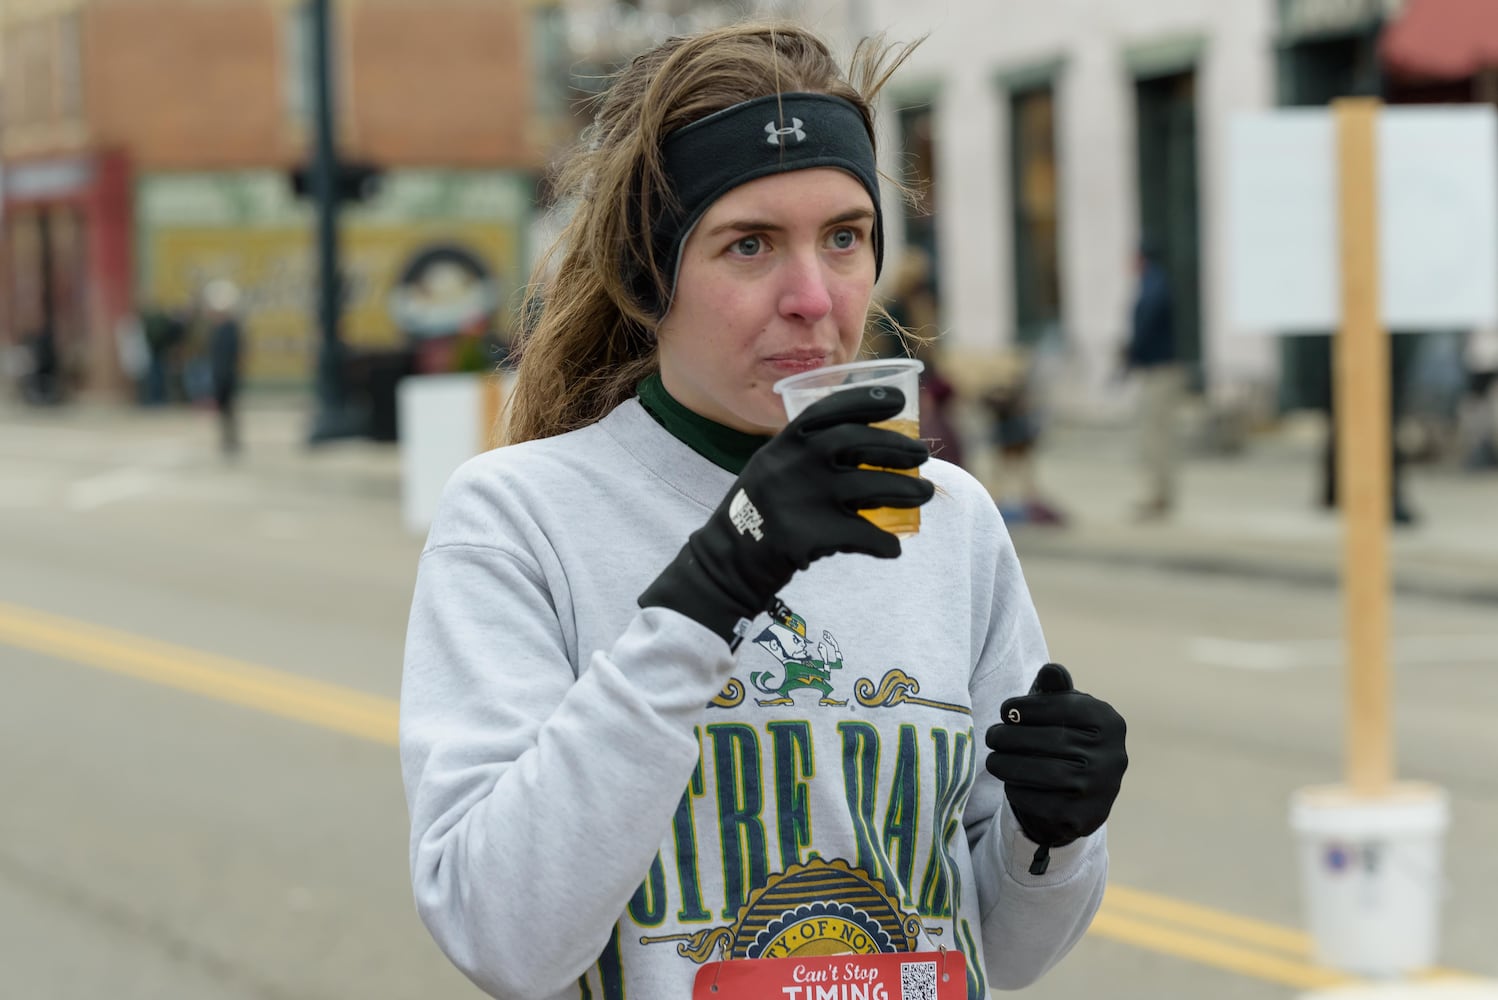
1371,872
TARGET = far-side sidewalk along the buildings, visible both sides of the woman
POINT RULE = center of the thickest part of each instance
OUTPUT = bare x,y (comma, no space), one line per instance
1250,514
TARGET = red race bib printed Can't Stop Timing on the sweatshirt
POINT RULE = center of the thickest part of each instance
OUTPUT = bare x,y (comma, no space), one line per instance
897,977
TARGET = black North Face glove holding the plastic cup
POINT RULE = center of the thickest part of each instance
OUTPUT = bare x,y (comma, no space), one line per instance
798,501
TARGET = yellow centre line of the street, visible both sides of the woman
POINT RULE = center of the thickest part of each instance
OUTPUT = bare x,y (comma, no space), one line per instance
1133,917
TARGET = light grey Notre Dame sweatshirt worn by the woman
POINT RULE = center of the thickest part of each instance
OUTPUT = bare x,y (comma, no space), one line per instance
604,799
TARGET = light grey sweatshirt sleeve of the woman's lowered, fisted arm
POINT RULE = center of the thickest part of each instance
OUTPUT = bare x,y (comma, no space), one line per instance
1030,923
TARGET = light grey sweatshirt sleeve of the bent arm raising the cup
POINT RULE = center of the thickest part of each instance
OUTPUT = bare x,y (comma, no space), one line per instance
539,794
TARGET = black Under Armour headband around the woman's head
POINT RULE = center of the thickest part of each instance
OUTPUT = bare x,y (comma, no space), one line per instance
768,135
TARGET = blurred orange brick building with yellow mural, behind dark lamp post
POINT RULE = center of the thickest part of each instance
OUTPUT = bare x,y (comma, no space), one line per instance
149,146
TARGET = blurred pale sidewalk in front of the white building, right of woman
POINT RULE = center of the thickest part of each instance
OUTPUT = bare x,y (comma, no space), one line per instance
1255,514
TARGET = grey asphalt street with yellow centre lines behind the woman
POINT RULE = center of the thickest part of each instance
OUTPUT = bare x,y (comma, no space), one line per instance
201,794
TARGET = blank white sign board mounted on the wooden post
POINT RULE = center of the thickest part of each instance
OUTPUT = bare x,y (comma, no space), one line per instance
1439,219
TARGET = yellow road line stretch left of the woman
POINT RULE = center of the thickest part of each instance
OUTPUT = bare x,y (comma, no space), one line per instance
236,682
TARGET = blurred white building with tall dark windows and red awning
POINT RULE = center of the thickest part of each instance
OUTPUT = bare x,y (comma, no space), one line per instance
1057,137
